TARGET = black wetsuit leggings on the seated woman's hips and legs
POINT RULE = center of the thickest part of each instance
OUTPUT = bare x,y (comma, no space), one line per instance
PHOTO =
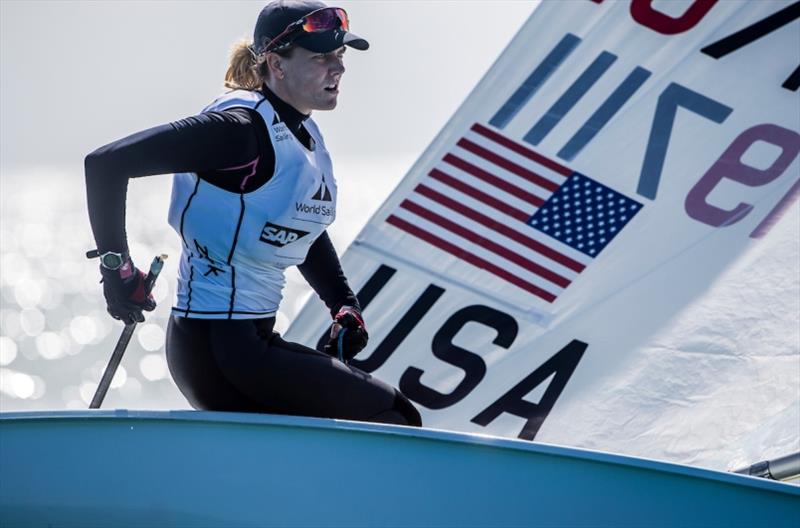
243,366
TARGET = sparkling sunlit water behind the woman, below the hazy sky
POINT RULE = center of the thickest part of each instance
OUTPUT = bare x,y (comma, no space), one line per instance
55,335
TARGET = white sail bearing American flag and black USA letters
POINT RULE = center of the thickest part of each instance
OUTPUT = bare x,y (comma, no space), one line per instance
623,171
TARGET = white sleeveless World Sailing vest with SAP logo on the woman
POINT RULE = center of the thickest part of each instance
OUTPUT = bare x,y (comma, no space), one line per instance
236,246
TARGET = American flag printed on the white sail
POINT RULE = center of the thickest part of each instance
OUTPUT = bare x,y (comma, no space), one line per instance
500,206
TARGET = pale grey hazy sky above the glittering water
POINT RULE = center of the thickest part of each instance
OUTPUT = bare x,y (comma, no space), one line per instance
77,75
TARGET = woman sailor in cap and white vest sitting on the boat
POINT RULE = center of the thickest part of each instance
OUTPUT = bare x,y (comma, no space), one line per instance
253,194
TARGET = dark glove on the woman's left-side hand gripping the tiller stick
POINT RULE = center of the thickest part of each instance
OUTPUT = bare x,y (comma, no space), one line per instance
126,293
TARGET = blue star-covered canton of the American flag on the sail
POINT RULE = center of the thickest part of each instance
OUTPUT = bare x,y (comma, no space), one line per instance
584,214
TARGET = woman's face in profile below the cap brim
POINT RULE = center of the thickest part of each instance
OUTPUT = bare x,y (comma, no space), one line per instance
311,80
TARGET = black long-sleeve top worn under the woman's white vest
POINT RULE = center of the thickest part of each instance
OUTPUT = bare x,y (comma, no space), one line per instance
207,144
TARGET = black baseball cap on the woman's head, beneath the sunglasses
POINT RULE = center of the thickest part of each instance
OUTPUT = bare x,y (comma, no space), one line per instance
278,14
